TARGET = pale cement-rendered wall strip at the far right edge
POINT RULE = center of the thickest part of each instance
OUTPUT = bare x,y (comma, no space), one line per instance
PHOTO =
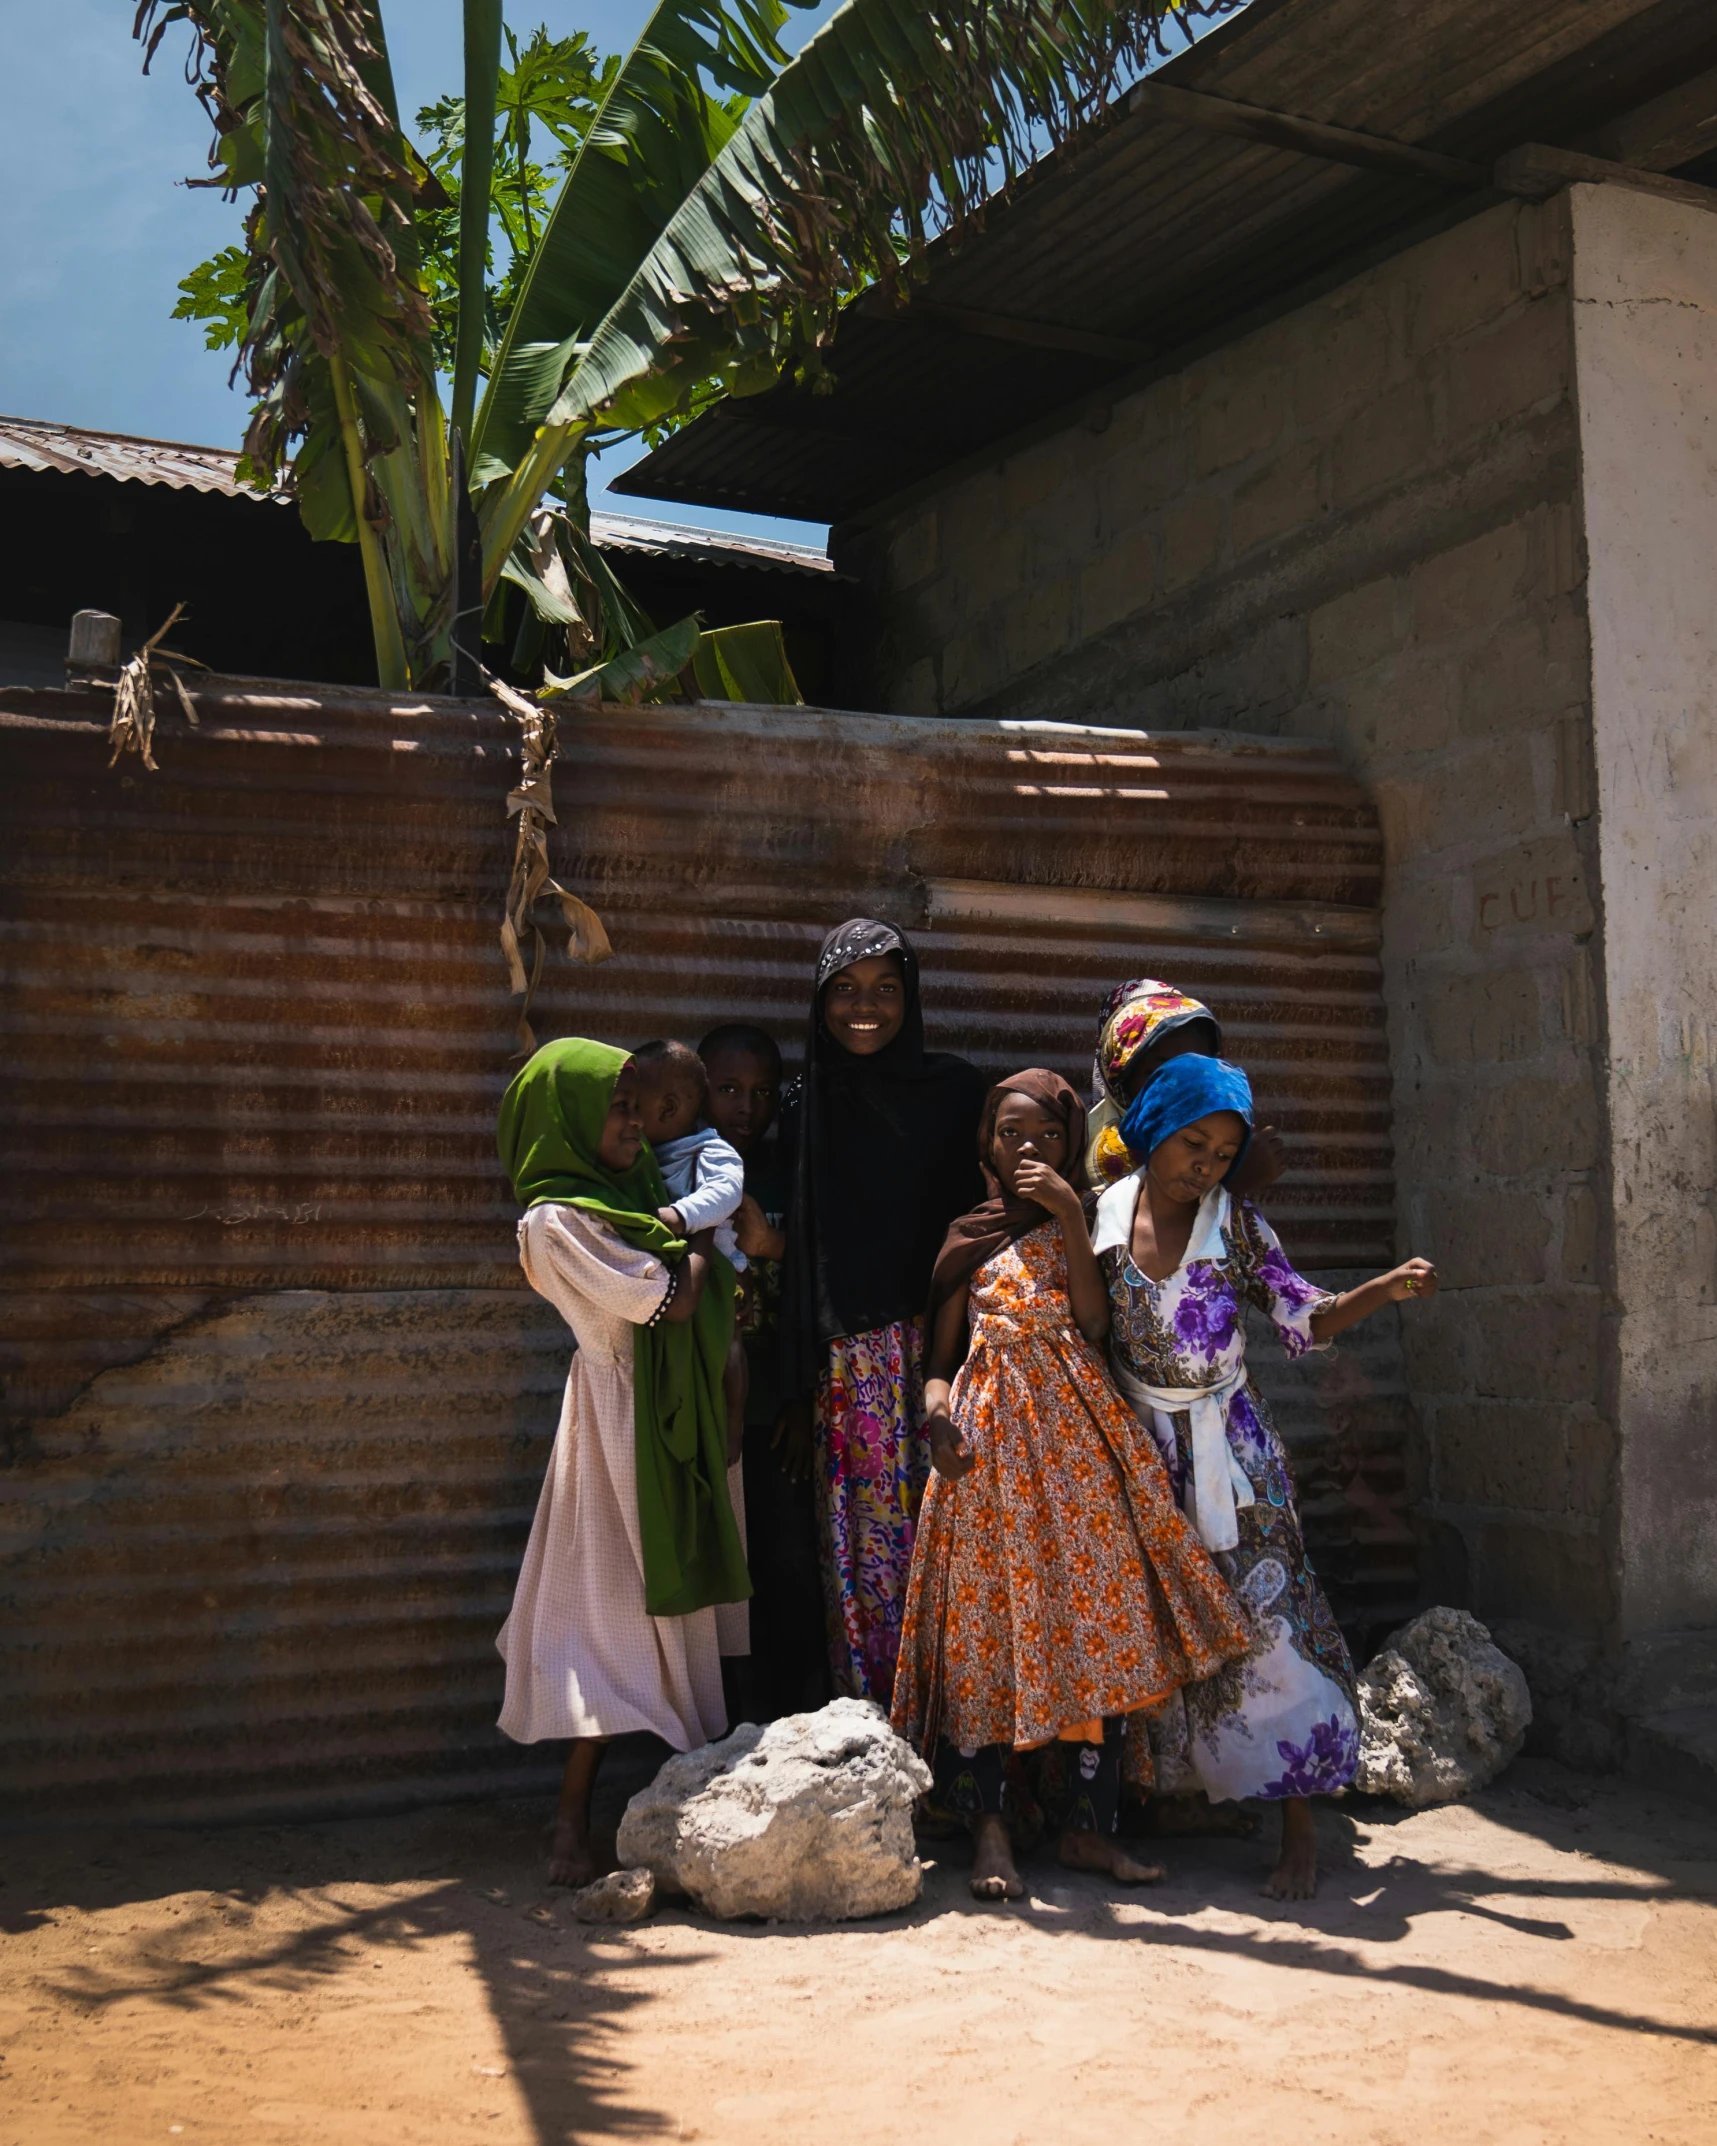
1645,282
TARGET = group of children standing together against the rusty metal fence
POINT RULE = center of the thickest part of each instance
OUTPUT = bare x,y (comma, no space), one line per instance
939,1400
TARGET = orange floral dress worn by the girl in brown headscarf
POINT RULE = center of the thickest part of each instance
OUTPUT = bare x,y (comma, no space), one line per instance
1057,1583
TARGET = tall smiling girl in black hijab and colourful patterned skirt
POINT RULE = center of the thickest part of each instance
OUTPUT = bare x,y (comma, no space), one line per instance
883,1141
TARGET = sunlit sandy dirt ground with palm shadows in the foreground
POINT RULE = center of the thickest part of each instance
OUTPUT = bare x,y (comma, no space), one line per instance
1536,1967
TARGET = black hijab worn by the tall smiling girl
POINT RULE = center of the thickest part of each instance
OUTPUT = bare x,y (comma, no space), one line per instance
883,1164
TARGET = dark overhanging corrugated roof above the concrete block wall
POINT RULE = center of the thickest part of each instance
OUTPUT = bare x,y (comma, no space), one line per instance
1160,235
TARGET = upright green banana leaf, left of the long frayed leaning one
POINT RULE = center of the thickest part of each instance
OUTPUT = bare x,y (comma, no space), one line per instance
651,143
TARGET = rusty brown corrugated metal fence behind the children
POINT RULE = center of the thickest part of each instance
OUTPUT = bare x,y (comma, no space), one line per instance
278,1402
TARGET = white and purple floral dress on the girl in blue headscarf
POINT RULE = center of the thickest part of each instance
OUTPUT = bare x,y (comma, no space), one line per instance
1282,1722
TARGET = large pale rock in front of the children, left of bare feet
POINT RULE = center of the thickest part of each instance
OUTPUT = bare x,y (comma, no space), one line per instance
802,1821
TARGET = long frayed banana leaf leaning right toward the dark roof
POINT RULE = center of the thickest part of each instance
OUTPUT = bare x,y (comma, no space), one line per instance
896,121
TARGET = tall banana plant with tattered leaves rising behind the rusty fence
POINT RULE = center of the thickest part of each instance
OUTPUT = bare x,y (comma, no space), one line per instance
722,205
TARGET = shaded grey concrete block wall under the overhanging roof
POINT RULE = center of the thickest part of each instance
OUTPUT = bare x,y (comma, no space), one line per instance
1364,523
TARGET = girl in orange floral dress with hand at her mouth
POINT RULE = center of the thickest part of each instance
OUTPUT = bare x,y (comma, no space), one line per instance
1055,1585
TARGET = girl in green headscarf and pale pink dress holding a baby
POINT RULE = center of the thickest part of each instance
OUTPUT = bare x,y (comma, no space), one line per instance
613,1623
